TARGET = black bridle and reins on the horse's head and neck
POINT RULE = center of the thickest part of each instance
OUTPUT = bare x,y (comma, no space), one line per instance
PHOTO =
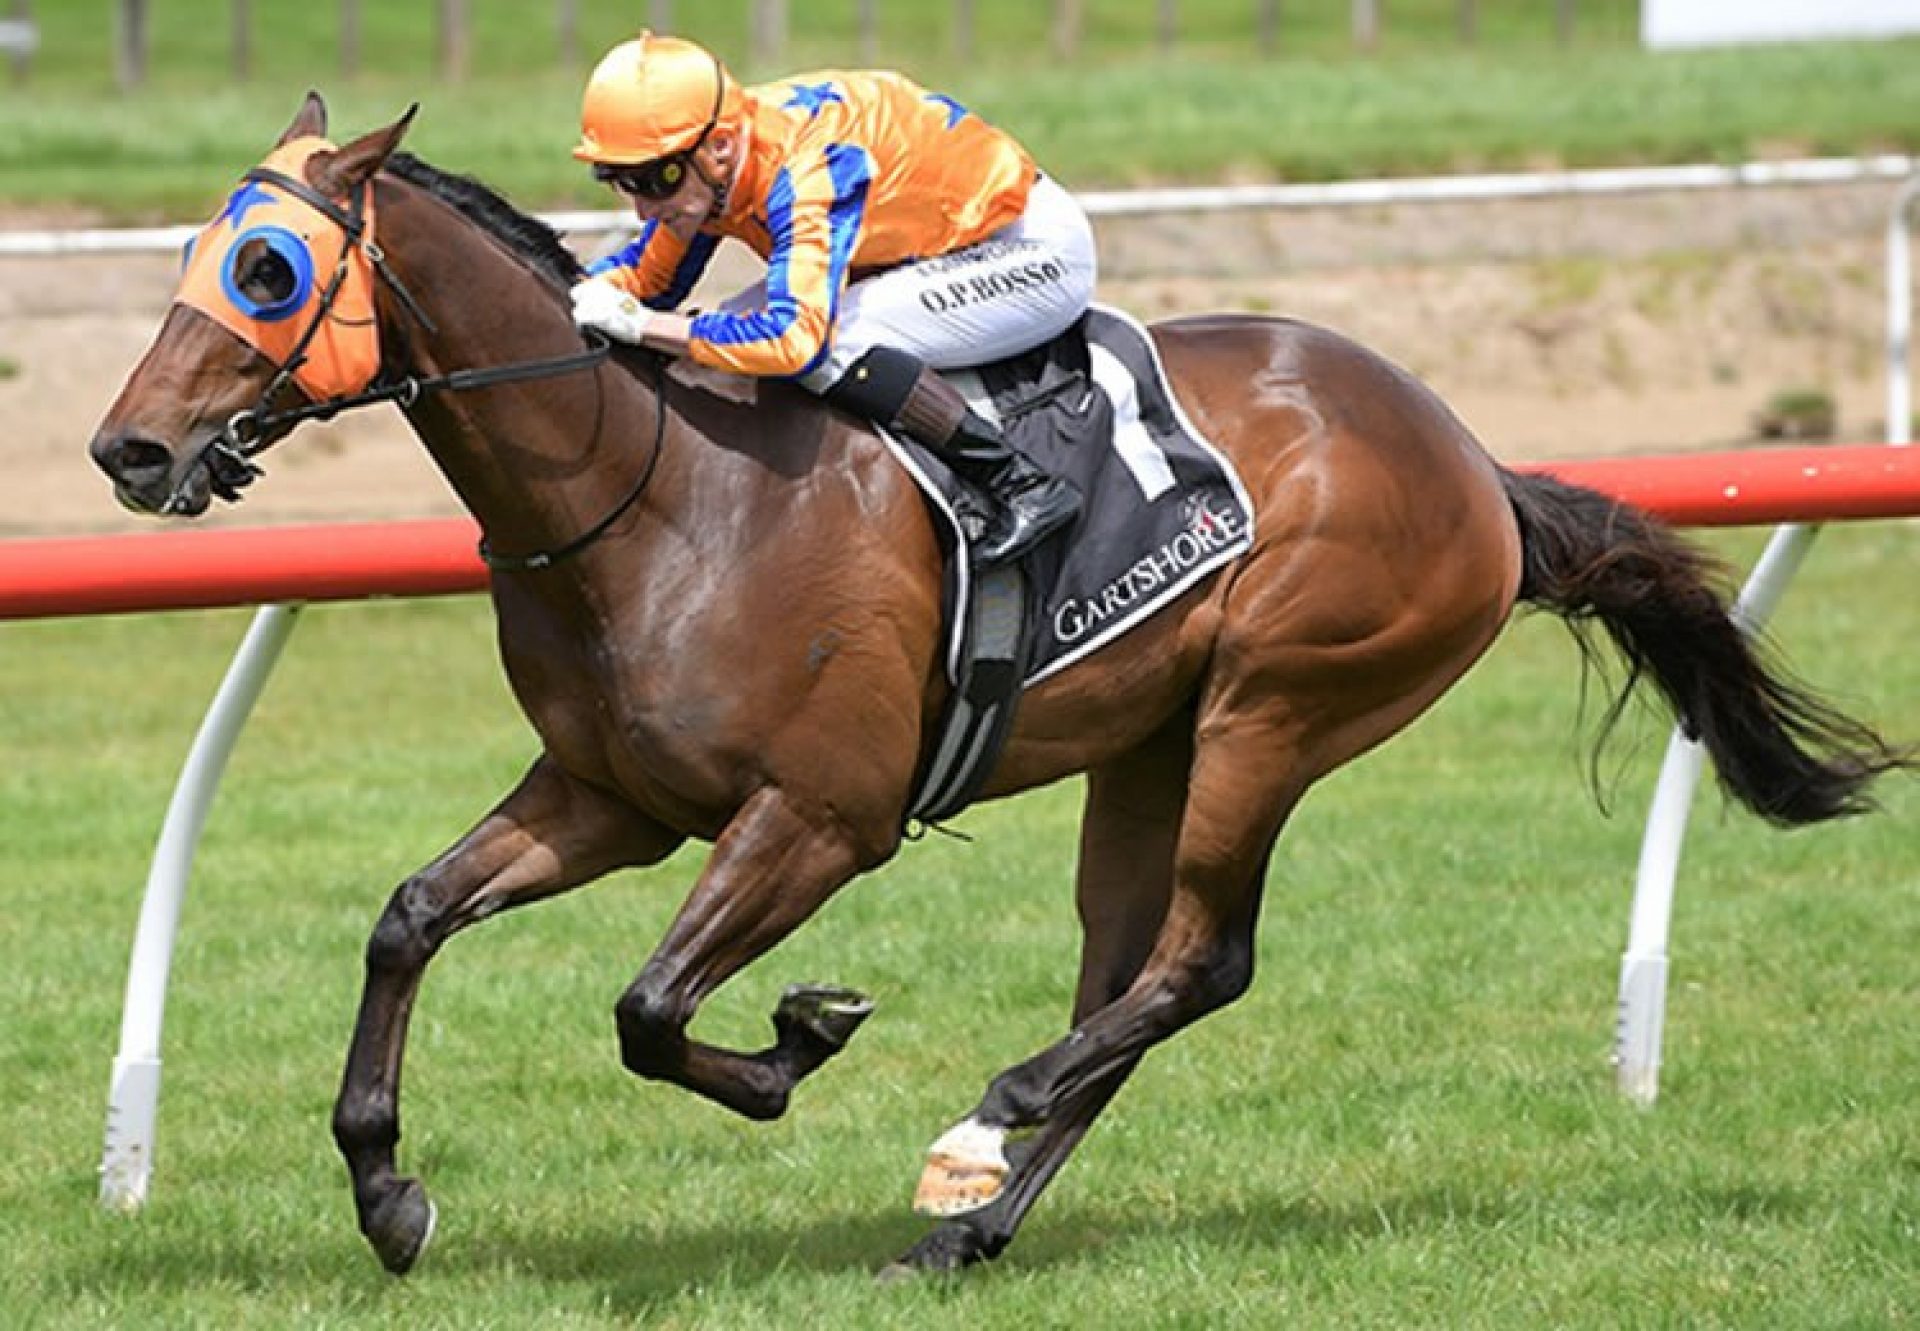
229,456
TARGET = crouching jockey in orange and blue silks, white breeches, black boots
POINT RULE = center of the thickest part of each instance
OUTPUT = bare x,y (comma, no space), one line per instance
901,233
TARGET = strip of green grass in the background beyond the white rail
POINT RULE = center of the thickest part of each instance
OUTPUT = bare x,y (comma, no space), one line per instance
1120,116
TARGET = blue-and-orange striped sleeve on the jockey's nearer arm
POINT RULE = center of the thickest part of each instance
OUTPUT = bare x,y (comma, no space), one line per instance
815,214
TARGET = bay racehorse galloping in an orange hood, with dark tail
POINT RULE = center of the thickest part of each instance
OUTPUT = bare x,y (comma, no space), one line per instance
721,617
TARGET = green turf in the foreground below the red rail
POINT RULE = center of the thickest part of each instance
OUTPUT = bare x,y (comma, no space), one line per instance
1408,1121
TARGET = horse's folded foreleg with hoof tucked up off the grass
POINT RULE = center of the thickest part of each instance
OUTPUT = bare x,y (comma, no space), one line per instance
773,867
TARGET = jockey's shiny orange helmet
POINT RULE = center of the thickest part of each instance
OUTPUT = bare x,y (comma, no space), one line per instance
654,97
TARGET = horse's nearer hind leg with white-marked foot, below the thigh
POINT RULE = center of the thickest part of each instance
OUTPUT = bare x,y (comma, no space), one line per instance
1201,961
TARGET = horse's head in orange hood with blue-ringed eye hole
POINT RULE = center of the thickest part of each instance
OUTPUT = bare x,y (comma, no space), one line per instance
276,310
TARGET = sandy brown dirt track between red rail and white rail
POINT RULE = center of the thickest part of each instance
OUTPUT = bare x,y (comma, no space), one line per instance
1554,327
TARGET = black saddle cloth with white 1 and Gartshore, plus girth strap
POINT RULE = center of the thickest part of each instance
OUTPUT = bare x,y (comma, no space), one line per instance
1163,506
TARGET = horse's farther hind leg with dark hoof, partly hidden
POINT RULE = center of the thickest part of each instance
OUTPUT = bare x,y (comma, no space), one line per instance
1122,892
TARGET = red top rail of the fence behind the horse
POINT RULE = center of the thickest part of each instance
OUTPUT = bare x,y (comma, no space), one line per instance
187,569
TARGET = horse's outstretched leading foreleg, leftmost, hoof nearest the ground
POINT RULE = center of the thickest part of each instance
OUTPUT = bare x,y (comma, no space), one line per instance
550,835
